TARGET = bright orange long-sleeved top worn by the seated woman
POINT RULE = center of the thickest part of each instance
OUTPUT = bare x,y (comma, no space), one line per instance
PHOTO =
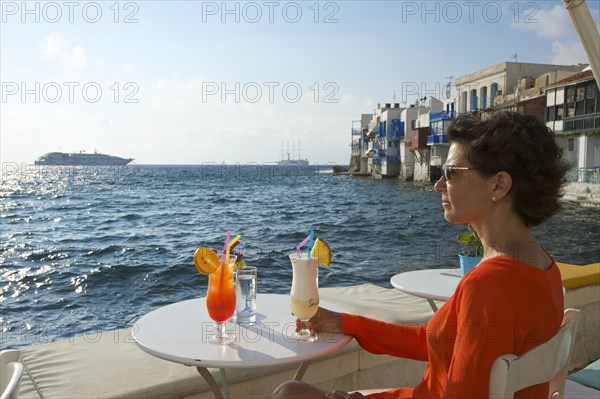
501,306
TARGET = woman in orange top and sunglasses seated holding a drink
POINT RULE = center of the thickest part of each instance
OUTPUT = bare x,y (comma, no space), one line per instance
502,177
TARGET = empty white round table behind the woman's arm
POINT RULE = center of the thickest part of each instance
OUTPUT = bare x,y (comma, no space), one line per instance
431,284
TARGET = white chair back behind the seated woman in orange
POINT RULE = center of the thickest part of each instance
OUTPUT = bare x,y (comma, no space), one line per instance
546,362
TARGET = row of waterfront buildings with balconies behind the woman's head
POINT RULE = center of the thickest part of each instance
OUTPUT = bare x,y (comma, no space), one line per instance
412,144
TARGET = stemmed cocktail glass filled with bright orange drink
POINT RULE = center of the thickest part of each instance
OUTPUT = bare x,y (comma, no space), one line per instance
220,300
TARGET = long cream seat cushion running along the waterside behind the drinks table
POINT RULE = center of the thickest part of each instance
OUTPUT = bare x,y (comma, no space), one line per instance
110,364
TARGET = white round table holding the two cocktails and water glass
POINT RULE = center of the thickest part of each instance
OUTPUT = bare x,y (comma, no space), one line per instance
179,332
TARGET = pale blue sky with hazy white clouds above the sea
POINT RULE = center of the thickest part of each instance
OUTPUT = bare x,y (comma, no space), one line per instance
194,82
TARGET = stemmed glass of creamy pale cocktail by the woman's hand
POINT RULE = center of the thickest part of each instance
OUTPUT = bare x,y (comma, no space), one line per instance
304,296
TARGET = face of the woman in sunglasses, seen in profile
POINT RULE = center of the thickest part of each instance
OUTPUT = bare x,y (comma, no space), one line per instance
466,197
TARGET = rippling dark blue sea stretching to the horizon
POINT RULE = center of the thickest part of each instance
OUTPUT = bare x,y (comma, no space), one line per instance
89,249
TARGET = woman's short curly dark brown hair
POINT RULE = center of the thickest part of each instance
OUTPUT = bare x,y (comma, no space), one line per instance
525,148
